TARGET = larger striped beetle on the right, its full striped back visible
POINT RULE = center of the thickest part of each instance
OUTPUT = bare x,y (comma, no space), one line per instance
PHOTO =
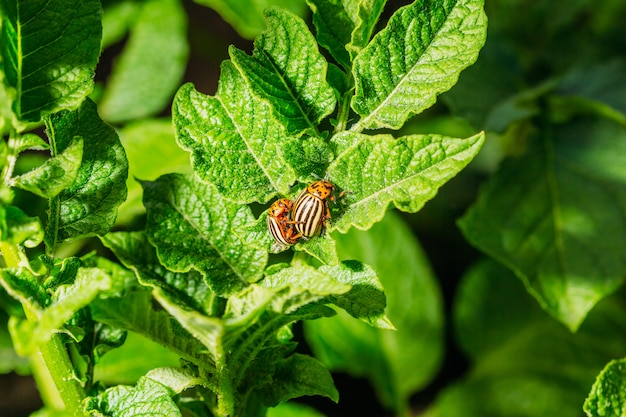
311,211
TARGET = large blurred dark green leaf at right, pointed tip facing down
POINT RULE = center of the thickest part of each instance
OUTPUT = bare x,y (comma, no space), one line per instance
532,217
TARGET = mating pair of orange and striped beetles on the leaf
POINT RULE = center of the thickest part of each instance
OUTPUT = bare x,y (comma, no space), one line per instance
289,222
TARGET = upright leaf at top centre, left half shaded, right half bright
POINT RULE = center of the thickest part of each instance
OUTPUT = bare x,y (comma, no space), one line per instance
287,69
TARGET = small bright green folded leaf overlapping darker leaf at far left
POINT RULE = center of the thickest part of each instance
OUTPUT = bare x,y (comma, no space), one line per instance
56,174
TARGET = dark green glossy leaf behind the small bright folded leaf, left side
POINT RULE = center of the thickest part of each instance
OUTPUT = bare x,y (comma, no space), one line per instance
89,206
